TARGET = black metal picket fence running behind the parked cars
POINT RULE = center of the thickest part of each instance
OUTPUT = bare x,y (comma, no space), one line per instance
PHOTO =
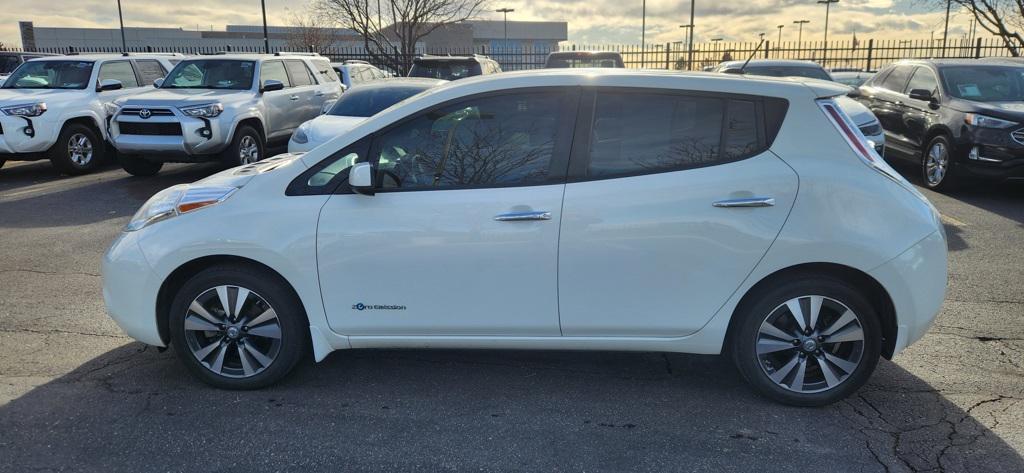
867,55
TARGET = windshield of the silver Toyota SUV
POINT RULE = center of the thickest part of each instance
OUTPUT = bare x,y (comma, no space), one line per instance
211,74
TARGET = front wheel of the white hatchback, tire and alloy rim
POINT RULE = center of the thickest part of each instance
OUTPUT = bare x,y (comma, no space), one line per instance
238,328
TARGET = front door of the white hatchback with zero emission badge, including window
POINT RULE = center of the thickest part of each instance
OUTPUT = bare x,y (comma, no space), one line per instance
461,238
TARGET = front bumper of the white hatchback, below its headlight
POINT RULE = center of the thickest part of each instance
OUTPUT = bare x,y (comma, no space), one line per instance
131,289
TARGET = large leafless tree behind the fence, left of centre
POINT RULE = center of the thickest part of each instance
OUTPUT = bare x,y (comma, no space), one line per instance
391,29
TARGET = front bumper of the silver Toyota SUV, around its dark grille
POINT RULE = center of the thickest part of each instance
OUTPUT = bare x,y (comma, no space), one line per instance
198,140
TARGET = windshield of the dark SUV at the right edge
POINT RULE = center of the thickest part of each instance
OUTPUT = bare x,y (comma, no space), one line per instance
985,83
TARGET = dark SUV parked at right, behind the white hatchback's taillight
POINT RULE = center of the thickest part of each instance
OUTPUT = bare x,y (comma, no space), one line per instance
956,119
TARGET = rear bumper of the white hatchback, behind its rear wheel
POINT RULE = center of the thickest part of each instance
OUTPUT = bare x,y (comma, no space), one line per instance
916,282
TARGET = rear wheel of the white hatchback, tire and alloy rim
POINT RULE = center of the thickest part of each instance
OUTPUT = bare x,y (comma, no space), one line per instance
808,341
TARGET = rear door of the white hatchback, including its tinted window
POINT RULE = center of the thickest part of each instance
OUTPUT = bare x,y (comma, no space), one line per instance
671,202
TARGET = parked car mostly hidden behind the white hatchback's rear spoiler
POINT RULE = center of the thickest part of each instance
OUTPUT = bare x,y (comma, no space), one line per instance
863,117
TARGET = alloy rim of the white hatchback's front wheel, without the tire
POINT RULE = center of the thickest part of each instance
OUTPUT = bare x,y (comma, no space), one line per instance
233,332
